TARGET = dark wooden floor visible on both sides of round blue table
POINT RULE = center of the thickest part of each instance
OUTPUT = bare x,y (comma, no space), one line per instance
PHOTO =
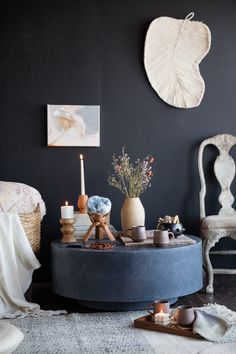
225,294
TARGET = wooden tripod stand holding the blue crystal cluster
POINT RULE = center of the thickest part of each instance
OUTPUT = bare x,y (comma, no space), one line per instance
99,222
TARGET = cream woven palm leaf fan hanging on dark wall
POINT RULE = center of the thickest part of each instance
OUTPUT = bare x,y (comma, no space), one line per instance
172,54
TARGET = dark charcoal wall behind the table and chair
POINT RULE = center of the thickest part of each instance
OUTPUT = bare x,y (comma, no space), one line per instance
91,52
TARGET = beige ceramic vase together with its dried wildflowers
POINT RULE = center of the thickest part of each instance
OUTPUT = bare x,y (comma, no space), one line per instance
132,179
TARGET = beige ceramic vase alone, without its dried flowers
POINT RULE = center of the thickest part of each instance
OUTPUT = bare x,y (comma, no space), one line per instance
132,214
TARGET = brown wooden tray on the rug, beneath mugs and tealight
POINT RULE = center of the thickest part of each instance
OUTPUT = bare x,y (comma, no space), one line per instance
145,322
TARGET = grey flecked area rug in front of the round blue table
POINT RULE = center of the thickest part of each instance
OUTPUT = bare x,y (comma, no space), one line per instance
81,333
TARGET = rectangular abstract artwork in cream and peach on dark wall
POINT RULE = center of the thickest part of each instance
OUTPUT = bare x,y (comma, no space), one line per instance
73,125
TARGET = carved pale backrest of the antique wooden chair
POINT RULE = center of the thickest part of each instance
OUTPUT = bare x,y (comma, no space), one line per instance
224,169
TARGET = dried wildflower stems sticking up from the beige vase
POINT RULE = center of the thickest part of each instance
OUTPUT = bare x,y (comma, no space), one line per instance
132,179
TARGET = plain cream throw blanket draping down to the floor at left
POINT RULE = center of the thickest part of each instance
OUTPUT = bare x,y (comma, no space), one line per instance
17,263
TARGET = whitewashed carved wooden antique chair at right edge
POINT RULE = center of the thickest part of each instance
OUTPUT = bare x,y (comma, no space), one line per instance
214,227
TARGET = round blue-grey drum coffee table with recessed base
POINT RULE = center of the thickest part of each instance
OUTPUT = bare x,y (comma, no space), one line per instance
126,278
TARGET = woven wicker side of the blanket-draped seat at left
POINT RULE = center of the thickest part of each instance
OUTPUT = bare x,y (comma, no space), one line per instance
31,223
